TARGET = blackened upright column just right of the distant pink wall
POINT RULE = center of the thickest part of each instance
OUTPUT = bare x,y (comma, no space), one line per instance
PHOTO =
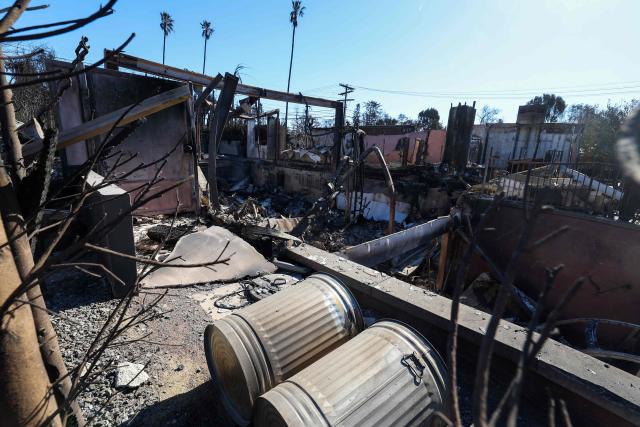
459,127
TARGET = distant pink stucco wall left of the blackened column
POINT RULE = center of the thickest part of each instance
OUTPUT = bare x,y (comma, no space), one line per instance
388,144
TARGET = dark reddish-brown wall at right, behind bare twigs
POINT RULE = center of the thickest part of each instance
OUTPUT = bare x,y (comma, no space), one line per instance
604,252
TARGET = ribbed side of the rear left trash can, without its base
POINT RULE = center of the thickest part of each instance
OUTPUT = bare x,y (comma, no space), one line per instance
301,324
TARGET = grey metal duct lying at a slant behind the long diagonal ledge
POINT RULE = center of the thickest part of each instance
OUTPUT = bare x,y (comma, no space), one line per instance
383,249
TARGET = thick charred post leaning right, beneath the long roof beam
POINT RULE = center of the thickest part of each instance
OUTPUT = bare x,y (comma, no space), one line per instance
215,133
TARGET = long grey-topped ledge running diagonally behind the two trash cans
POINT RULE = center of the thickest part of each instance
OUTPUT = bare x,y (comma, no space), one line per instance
608,397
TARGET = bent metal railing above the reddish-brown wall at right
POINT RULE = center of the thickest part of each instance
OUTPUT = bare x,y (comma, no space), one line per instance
595,188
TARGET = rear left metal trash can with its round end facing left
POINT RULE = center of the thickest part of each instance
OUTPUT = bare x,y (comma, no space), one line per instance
256,348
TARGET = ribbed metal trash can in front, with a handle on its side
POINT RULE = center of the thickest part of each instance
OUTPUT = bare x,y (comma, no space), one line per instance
389,375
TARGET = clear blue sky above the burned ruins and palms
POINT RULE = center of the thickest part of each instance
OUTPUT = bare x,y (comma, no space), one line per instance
420,53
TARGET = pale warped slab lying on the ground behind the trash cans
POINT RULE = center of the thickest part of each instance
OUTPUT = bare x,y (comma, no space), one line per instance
207,246
